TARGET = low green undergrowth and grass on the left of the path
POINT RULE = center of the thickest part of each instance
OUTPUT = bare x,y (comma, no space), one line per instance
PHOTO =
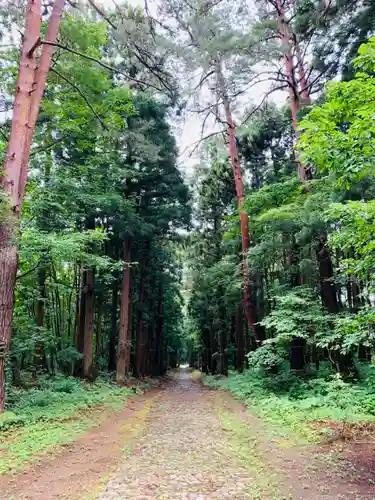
54,414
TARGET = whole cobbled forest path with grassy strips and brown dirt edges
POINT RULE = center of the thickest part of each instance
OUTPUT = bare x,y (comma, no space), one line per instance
186,441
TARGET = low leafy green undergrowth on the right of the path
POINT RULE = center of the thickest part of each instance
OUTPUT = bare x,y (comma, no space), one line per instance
295,402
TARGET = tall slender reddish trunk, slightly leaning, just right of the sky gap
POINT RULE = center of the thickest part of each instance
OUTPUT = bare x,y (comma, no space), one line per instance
240,193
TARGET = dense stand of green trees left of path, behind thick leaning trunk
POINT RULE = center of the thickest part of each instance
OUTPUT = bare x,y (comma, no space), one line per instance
103,174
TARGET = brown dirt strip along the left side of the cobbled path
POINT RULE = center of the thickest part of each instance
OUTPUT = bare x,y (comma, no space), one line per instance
80,468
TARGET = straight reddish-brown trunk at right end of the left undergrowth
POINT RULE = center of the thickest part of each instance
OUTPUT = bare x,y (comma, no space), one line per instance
123,339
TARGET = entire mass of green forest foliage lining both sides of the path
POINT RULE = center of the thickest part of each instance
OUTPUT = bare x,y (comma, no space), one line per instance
120,259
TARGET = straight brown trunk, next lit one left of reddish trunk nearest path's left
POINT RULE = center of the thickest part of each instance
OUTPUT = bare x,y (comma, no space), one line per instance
88,325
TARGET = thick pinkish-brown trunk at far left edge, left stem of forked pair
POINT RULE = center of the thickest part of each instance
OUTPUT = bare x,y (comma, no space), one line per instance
9,181
